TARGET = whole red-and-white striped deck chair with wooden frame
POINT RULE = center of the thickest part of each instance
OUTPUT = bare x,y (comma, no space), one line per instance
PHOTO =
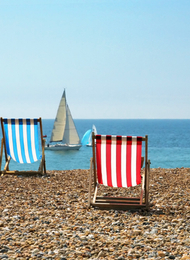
117,162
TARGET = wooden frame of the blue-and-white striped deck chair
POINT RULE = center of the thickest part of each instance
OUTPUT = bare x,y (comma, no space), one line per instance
42,167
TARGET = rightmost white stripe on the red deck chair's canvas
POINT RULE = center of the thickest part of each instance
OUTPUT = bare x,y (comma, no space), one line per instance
133,160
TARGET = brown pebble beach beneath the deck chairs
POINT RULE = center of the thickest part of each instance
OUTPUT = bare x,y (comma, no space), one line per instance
47,217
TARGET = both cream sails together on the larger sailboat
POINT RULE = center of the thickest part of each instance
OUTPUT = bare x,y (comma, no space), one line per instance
64,128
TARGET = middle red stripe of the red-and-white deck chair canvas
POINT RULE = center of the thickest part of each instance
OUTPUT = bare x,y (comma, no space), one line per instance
118,160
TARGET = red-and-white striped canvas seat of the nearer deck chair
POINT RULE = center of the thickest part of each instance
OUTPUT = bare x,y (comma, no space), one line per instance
118,160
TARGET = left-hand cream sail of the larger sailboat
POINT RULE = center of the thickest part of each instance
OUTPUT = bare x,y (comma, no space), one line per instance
60,121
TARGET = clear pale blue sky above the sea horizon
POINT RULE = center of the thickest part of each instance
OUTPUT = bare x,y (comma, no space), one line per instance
116,59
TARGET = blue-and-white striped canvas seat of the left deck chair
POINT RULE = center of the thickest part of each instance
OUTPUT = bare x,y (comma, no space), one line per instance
22,140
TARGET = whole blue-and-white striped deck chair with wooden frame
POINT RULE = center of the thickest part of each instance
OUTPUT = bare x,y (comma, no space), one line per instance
21,143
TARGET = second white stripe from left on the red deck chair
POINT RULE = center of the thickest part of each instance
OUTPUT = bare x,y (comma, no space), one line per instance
113,162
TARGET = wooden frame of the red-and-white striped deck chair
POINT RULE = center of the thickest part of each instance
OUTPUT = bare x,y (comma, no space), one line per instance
123,203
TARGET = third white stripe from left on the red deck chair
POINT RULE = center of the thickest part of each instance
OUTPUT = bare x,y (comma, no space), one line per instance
123,162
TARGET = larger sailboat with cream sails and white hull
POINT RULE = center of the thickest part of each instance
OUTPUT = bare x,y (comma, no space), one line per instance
64,134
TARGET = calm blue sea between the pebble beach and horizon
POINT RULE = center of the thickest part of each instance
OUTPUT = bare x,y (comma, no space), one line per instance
169,142
